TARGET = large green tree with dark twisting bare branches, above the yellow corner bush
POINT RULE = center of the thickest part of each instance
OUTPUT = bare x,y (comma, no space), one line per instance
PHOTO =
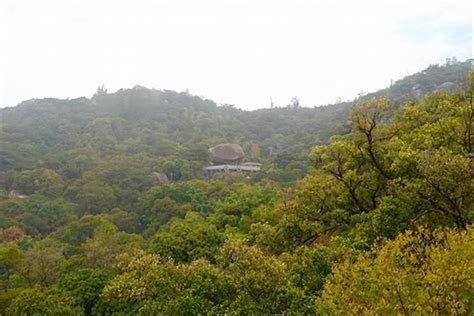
382,178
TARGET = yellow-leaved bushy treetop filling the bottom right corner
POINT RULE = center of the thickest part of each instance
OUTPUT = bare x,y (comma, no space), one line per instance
419,272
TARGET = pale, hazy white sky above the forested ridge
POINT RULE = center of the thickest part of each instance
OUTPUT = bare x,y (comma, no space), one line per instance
241,52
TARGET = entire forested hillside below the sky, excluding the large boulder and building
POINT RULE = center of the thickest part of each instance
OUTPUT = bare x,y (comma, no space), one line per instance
360,207
